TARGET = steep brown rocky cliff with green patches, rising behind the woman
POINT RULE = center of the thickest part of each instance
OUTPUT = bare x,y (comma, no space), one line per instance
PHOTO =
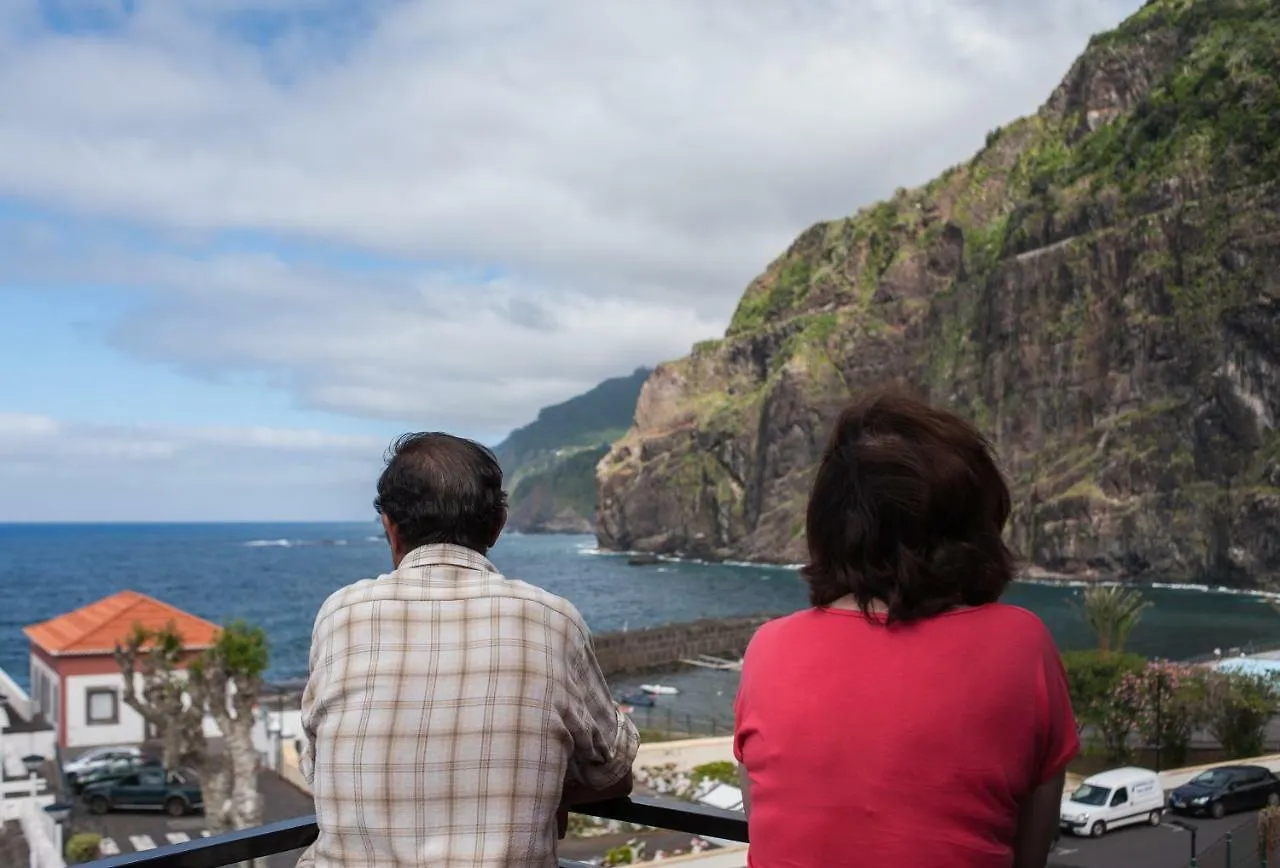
1099,290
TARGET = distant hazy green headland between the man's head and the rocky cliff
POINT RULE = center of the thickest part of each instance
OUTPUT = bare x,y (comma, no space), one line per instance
550,465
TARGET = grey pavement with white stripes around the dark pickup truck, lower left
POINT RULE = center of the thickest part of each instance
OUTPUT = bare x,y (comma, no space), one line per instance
140,832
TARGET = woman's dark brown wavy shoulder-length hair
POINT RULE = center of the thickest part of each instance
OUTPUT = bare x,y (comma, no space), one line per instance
908,508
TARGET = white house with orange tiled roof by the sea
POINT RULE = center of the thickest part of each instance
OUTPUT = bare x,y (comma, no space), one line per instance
76,683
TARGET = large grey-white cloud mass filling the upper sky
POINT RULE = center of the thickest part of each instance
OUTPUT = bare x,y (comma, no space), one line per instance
628,167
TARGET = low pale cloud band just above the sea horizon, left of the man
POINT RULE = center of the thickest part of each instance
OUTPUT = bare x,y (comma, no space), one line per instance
56,470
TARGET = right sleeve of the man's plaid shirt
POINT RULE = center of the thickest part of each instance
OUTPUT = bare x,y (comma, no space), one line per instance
605,738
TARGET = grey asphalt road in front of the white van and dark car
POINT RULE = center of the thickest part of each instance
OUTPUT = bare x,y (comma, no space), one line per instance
1146,847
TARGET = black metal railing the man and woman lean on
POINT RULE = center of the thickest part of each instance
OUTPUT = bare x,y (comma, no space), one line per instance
295,834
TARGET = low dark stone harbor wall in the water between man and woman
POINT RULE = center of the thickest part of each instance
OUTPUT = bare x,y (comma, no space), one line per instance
653,648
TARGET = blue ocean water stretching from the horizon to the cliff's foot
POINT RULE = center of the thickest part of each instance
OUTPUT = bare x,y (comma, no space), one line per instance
277,575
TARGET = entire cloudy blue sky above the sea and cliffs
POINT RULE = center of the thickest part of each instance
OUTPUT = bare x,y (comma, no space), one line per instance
245,245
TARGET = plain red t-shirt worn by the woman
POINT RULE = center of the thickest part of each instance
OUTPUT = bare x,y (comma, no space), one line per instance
904,747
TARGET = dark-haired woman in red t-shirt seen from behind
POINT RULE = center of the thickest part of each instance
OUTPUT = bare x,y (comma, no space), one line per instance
908,720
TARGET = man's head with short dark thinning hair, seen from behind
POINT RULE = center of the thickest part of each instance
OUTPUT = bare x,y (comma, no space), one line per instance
438,488
